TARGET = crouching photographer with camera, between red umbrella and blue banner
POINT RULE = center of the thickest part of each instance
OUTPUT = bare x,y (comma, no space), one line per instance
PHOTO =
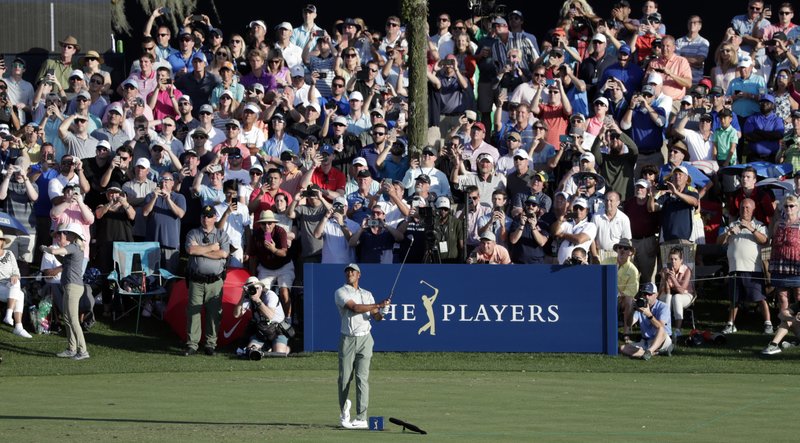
265,325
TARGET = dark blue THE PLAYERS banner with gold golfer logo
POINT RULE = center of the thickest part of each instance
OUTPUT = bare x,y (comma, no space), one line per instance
474,308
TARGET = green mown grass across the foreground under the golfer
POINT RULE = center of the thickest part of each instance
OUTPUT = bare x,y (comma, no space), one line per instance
137,388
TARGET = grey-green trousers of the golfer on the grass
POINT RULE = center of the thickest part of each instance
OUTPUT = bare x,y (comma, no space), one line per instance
355,354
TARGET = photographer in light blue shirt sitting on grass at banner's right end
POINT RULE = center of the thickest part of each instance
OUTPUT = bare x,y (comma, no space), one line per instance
654,319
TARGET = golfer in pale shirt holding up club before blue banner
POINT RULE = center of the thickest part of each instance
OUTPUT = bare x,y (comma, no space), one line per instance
356,306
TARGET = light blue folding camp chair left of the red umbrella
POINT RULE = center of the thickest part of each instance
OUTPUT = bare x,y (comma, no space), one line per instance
137,275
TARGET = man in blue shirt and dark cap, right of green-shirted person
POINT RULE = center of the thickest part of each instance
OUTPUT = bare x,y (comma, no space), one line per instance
764,131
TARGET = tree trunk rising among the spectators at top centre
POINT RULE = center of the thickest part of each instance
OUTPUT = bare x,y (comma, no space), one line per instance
415,15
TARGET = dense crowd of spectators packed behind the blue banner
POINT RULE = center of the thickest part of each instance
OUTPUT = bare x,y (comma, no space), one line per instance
570,144
